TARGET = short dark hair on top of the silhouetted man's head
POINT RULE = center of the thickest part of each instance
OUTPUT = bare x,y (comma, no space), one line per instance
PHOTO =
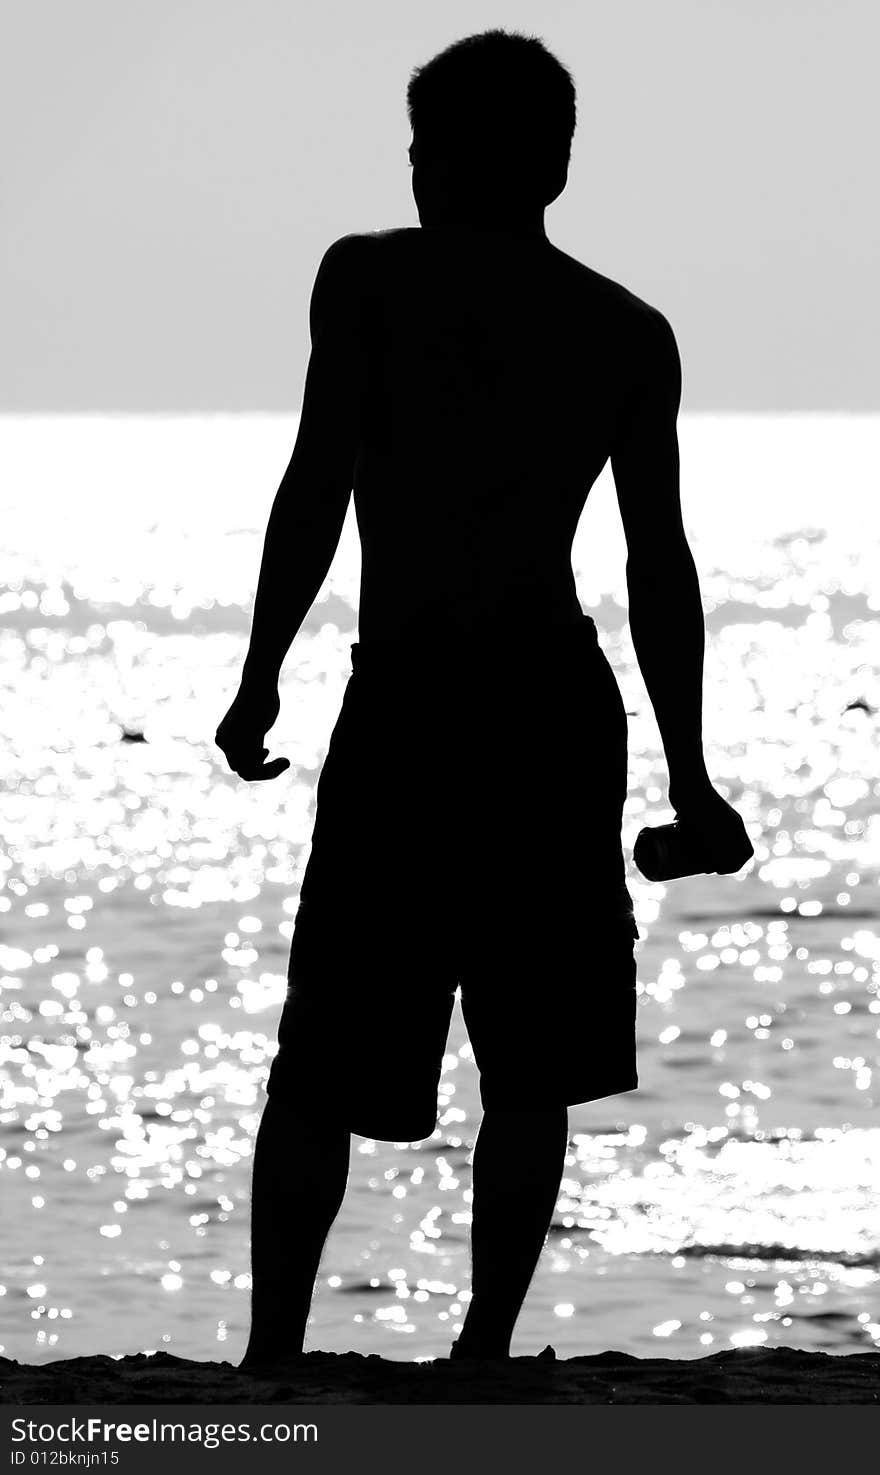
497,86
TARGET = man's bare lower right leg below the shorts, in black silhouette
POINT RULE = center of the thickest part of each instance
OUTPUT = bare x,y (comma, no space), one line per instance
518,1165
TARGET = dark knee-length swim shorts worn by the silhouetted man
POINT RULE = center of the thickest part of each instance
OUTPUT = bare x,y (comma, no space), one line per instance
468,833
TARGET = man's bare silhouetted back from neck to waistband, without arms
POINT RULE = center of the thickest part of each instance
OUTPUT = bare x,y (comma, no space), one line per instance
496,374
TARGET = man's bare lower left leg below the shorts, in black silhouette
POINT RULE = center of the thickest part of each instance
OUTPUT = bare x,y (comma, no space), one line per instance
300,1176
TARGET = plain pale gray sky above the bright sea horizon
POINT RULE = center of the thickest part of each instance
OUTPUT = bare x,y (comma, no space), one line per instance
173,172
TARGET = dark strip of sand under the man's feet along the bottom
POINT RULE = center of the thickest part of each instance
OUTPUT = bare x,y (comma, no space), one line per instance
741,1375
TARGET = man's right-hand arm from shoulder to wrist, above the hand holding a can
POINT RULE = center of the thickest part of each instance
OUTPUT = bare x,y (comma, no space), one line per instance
666,605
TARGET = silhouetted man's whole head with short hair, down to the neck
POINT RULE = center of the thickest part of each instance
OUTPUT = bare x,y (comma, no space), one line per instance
493,120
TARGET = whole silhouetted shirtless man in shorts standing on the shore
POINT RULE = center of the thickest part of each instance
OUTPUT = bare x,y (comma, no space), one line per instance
469,381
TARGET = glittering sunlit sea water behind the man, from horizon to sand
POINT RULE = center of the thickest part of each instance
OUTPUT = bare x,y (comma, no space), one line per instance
148,899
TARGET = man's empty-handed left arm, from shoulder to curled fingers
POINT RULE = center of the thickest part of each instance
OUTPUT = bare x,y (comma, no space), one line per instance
309,508
